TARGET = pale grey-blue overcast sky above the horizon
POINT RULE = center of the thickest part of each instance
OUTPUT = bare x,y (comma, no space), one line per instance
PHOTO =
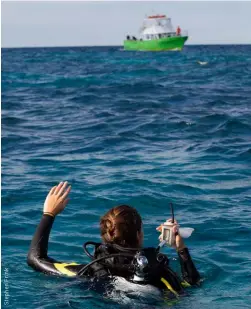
106,23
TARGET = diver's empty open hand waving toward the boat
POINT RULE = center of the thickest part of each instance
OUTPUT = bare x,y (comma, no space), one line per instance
57,199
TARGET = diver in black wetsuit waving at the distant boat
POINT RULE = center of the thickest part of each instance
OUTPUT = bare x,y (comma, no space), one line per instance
120,254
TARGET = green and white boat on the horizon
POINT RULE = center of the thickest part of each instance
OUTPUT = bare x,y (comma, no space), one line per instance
157,34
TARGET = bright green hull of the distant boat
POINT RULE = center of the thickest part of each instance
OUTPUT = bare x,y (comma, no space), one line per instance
171,43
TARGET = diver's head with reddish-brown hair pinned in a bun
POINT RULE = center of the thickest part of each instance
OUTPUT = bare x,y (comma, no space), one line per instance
122,225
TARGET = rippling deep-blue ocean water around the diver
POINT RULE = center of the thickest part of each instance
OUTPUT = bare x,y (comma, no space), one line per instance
128,127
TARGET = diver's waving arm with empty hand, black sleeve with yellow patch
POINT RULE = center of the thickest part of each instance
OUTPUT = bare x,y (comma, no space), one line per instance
37,258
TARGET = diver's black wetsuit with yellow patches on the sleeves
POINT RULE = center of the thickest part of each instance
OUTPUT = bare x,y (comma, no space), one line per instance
163,277
